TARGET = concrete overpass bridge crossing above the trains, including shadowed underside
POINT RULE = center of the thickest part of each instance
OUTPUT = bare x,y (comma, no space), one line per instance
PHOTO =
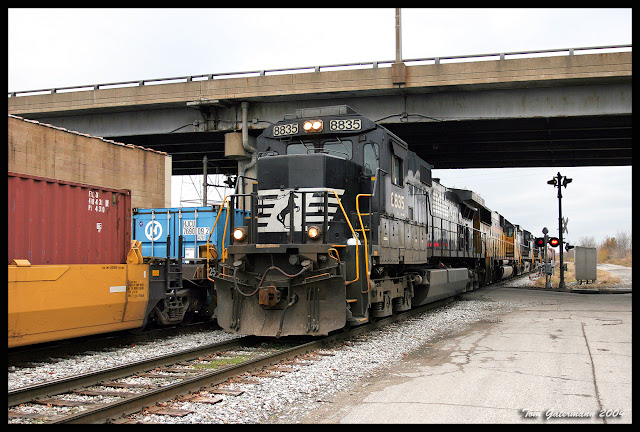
567,107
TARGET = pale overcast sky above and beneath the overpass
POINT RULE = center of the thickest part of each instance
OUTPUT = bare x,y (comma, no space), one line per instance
66,47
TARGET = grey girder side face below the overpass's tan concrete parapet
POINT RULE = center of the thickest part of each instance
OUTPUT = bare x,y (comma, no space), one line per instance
402,107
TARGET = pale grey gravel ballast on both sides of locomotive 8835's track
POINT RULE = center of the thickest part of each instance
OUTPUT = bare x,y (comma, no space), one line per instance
289,397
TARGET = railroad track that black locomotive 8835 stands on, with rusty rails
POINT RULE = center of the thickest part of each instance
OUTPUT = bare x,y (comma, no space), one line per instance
107,396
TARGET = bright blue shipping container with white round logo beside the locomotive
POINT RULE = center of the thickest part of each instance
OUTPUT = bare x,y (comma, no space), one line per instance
151,227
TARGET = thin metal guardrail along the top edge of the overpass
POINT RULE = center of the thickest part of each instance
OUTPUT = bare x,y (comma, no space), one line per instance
263,72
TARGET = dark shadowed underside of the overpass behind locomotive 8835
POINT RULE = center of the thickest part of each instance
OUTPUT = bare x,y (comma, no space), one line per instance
594,140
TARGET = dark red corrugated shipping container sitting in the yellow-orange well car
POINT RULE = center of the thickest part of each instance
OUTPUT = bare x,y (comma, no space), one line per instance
59,222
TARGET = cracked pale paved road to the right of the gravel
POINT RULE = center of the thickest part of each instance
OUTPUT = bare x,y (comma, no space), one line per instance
565,358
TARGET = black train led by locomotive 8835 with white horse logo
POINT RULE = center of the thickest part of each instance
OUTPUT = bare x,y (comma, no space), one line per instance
349,226
